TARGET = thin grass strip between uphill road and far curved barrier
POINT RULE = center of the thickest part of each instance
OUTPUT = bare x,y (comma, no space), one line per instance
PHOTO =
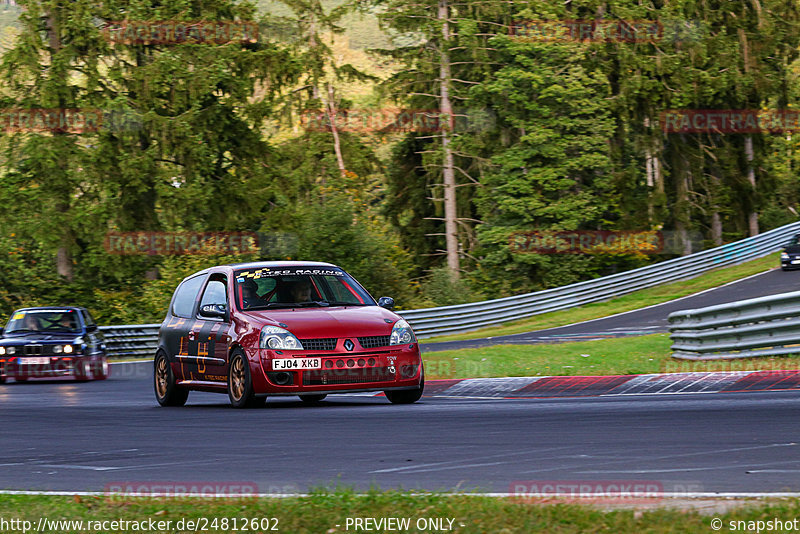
632,301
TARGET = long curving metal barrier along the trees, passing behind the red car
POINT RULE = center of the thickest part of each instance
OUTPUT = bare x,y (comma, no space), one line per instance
134,340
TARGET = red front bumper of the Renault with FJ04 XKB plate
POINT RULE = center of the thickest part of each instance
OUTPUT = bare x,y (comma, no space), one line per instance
384,368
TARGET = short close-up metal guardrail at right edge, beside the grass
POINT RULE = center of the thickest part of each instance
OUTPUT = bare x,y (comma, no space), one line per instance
764,326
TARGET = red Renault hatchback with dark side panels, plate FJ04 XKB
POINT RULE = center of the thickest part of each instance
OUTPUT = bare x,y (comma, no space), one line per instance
283,328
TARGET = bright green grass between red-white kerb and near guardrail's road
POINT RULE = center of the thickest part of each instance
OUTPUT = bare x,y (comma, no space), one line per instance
617,356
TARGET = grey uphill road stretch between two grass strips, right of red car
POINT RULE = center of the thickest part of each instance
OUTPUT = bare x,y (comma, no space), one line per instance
644,321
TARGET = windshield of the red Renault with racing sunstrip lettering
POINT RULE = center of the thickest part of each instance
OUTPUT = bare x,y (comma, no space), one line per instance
291,287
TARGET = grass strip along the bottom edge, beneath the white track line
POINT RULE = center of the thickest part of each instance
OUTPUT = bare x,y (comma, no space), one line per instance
328,514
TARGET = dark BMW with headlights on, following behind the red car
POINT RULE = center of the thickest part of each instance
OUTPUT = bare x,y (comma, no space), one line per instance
50,342
